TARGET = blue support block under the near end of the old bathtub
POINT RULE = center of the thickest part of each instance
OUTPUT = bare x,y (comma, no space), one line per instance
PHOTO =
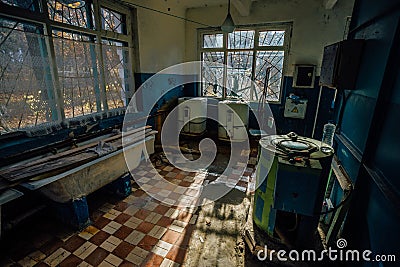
74,213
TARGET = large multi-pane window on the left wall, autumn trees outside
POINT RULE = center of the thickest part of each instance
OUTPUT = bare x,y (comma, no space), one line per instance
75,63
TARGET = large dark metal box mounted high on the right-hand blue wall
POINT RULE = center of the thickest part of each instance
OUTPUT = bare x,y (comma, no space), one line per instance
340,64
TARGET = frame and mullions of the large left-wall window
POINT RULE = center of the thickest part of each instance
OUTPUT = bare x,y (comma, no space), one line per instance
41,17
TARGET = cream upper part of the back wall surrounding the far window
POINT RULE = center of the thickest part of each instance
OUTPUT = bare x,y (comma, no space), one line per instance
313,25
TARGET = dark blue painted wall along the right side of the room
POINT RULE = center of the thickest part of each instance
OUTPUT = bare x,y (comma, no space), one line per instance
371,129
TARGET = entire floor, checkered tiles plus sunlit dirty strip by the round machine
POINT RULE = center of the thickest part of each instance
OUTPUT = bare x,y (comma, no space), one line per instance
140,230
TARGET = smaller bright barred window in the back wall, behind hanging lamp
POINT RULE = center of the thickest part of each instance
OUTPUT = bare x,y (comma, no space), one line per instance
256,54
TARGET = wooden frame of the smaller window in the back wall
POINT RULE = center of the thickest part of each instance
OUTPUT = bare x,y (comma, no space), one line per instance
283,26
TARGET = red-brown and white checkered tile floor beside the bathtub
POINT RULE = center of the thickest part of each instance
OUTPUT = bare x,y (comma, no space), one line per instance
136,231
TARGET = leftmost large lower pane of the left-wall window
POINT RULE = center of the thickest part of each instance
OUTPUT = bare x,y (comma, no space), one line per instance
25,96
